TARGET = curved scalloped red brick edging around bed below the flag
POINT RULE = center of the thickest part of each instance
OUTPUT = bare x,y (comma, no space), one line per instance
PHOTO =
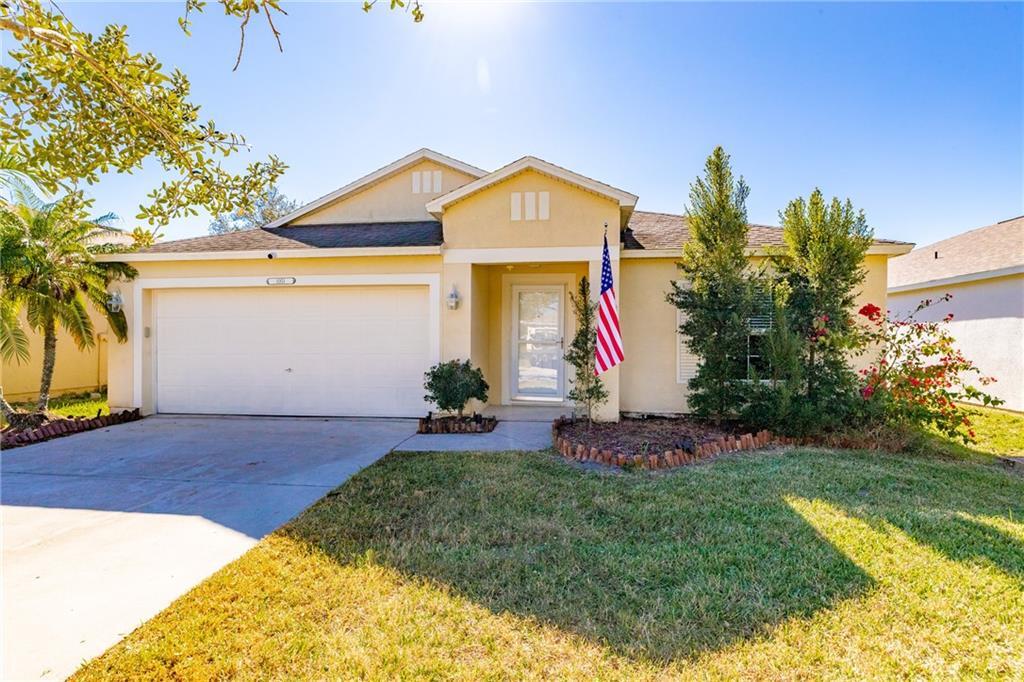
669,459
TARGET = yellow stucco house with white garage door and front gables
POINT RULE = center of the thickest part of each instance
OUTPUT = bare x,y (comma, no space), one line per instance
339,308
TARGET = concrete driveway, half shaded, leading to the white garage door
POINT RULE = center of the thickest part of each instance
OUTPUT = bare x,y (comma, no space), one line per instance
104,530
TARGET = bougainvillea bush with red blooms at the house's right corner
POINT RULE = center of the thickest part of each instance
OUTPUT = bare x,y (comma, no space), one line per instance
921,376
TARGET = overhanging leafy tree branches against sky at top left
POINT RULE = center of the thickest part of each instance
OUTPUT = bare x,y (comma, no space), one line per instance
77,106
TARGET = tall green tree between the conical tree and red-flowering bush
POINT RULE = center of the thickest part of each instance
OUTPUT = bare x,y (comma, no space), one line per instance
822,270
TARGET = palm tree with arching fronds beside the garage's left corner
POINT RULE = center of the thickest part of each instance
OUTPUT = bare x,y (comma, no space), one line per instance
50,272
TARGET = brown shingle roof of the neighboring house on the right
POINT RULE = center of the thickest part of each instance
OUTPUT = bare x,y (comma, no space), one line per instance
992,248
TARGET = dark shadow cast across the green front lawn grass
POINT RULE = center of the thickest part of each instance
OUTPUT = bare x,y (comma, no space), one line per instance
655,567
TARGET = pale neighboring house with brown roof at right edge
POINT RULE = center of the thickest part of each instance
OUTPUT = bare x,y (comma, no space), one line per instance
985,272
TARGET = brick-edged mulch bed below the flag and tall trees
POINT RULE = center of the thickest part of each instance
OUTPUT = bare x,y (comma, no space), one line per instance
652,444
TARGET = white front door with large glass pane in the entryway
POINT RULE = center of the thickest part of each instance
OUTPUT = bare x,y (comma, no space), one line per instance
538,329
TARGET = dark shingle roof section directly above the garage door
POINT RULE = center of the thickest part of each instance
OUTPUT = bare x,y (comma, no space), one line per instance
426,233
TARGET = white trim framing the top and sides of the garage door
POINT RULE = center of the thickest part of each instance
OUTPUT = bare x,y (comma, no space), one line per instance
432,280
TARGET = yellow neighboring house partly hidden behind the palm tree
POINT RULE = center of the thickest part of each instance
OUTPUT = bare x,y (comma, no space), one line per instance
76,370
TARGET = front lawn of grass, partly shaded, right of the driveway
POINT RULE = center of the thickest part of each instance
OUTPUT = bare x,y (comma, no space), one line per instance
798,565
